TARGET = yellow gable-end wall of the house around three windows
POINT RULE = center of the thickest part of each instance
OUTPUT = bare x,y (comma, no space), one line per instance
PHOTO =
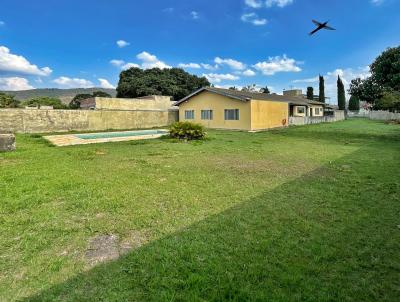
218,103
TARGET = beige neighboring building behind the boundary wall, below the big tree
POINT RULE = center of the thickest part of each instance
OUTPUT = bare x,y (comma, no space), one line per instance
153,102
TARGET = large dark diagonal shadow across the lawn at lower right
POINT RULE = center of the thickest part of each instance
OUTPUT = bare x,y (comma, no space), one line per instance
324,236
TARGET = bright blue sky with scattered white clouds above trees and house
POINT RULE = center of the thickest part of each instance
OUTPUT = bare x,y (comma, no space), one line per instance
86,43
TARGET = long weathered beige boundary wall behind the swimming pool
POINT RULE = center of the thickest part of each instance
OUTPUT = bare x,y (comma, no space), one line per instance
34,121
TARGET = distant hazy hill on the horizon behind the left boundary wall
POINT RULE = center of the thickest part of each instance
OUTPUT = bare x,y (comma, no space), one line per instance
65,95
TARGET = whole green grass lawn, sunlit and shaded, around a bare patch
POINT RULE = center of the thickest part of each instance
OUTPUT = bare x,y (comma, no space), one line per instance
308,213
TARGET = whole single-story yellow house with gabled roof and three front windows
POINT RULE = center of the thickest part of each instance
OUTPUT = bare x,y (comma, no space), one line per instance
241,110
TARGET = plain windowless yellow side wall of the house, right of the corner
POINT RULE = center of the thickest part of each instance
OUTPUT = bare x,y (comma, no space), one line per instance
268,114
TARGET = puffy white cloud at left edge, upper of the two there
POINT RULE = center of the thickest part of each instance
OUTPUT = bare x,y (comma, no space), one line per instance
18,64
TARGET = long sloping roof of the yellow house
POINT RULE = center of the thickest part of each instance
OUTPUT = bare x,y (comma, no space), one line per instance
247,96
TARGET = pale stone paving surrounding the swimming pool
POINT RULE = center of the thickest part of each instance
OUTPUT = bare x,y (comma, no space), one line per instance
73,139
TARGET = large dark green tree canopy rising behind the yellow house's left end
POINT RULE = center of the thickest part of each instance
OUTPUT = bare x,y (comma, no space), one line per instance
175,82
